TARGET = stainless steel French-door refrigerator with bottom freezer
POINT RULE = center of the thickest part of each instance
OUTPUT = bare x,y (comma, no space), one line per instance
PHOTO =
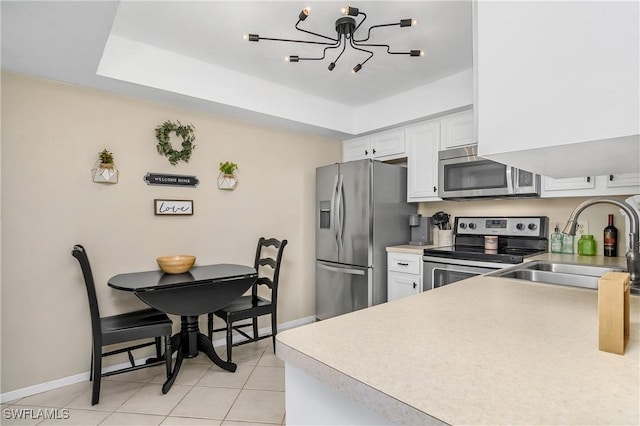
361,208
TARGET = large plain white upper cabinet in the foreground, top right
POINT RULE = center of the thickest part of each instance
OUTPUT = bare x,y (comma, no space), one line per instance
556,88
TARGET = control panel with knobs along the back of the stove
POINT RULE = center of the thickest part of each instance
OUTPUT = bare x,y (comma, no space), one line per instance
520,226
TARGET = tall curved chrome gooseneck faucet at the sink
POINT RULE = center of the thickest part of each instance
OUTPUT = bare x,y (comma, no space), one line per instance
633,253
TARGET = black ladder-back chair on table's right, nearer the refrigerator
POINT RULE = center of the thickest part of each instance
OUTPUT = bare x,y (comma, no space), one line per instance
253,306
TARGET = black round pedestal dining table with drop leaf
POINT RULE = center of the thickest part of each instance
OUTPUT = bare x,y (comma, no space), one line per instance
201,290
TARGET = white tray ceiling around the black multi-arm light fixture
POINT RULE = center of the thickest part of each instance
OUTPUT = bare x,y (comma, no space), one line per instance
104,45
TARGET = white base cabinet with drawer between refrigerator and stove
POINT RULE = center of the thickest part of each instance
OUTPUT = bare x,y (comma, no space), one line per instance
404,275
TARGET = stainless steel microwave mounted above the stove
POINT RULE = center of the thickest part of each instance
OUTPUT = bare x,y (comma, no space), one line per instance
462,174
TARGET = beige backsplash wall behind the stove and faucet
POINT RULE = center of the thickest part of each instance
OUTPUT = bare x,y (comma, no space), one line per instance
557,209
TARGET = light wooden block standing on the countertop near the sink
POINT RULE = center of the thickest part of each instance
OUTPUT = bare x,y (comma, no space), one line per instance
613,312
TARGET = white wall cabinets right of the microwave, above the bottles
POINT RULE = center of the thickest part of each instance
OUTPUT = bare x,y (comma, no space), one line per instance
589,186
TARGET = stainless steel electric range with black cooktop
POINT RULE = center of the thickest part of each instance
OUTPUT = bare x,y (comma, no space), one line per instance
518,237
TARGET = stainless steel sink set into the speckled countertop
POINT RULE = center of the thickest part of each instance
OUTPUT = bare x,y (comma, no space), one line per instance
568,274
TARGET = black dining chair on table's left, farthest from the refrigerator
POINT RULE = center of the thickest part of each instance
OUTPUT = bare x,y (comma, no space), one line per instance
136,325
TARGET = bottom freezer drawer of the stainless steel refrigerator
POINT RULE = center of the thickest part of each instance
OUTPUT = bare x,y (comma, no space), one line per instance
341,289
